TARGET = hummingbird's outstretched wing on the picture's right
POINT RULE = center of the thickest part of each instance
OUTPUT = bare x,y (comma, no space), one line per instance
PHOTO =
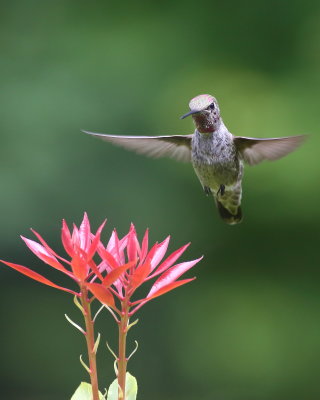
254,150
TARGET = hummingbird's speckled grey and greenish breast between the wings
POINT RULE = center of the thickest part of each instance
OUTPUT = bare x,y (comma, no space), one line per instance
215,160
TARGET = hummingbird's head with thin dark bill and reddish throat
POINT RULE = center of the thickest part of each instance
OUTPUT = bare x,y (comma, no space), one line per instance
205,113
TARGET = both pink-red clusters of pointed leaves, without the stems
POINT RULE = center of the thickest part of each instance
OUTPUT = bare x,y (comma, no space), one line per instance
123,264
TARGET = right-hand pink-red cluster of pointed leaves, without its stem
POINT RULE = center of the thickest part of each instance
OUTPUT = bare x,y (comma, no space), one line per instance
145,264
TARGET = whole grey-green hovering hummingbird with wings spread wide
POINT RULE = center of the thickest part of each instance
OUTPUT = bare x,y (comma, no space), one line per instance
217,156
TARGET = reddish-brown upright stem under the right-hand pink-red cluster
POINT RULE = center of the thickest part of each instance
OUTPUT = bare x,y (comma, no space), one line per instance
122,360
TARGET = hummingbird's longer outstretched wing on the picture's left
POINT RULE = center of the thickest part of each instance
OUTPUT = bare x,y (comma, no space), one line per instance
175,146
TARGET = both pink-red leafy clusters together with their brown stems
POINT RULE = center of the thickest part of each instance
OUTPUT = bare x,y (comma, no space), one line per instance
124,265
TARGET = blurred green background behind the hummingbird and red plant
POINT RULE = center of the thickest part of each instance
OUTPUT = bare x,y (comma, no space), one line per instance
249,327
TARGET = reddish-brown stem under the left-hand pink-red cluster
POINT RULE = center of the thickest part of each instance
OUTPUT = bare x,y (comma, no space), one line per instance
90,343
